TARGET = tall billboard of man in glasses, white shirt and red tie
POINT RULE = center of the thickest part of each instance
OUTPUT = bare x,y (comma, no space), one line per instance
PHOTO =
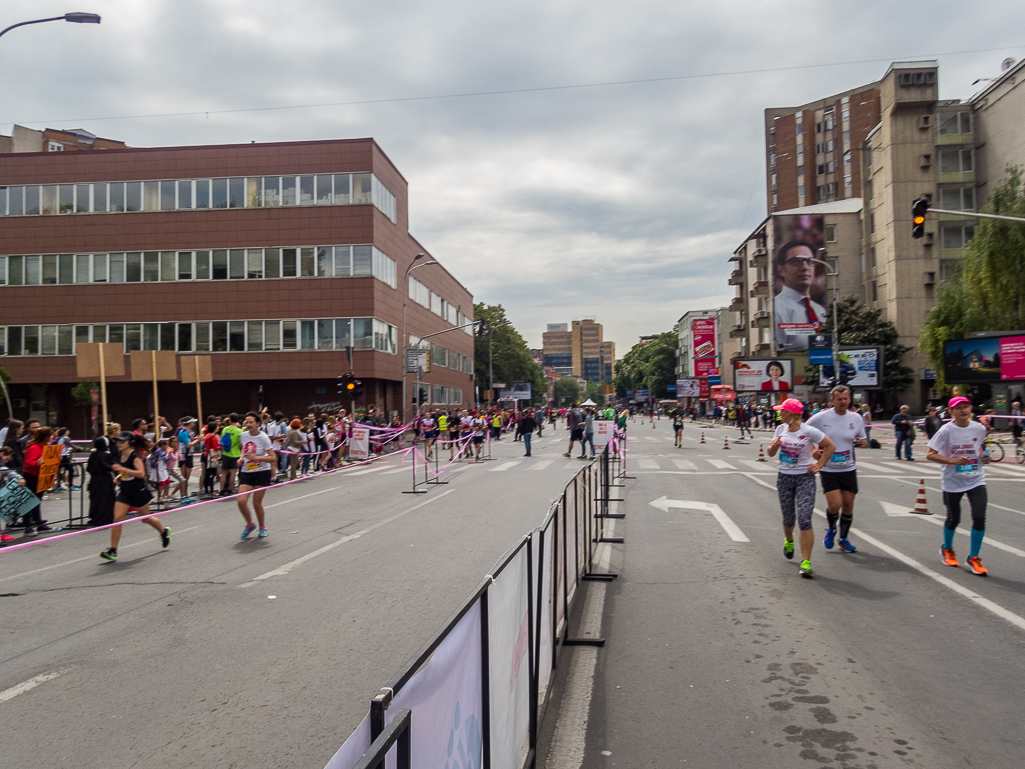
799,285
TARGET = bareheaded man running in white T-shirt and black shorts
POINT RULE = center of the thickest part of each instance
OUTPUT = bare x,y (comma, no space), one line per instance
840,477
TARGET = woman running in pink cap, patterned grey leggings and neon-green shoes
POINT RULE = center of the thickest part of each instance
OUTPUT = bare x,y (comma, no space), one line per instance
796,479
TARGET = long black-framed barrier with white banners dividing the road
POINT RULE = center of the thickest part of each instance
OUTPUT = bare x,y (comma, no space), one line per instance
475,695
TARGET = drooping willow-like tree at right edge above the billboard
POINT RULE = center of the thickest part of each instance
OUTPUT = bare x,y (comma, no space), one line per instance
989,291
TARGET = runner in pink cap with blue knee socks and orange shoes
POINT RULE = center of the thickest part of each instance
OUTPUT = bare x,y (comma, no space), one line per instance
960,447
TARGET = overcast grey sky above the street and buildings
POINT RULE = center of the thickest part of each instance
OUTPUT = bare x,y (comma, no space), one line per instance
620,203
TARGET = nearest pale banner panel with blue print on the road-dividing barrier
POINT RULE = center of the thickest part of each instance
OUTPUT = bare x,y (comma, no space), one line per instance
445,700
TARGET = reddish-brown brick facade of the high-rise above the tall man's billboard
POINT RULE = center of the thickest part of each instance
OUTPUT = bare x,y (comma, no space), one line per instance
813,152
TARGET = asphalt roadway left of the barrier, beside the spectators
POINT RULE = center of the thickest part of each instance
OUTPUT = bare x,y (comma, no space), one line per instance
264,654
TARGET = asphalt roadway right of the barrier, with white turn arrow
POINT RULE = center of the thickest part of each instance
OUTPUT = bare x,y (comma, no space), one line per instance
719,656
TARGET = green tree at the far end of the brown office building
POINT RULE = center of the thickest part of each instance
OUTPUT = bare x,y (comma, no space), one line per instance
510,355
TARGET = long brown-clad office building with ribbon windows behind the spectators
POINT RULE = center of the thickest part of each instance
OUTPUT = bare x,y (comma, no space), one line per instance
270,258
